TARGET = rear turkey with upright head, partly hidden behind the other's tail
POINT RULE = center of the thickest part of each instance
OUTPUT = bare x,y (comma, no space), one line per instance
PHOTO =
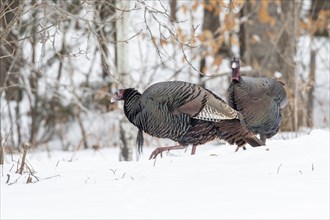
260,101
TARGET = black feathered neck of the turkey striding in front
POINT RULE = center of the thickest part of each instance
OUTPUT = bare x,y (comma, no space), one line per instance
131,100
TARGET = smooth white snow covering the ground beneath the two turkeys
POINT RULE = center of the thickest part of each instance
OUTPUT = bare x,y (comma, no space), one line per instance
287,179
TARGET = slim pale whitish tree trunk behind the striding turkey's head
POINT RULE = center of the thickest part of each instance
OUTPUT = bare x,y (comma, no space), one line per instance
122,64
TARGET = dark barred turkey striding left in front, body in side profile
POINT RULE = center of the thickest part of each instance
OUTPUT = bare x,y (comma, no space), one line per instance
185,113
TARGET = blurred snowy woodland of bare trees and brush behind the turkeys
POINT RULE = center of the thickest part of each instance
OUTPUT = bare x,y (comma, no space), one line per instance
60,61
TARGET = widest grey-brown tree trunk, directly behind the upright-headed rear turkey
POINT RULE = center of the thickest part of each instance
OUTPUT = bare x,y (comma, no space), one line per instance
269,46
